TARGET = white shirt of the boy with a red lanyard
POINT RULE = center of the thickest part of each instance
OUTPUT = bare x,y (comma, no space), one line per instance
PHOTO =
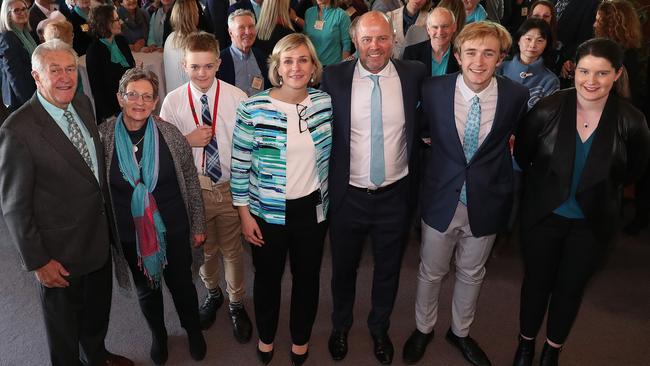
176,110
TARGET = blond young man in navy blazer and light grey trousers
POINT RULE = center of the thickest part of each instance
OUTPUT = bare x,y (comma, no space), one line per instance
467,185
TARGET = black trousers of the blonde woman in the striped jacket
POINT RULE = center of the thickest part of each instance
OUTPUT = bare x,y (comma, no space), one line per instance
302,238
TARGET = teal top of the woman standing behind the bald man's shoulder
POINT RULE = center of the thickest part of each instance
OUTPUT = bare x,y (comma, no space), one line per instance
331,41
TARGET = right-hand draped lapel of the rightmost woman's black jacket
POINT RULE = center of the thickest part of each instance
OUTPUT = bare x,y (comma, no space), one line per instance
600,155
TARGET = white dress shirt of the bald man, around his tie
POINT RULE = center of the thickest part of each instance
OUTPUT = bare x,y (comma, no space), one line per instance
394,123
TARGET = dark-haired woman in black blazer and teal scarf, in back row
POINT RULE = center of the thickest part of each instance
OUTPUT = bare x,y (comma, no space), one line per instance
107,59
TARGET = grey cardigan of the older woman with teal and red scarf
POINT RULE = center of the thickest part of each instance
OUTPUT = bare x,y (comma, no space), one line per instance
188,182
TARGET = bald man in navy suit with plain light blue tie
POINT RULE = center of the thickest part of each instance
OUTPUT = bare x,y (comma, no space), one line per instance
372,175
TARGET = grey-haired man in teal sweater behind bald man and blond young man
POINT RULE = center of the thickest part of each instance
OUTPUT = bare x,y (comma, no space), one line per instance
436,53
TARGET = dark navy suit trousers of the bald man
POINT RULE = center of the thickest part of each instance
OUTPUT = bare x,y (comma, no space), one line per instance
385,217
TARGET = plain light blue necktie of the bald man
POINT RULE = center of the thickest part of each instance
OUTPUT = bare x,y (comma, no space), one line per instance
377,166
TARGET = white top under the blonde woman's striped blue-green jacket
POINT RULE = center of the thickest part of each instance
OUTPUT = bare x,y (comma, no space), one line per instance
302,178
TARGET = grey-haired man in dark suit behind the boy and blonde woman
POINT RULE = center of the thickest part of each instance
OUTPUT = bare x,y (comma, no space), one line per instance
243,65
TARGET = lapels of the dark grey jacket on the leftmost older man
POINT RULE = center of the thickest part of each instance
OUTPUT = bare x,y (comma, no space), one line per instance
51,133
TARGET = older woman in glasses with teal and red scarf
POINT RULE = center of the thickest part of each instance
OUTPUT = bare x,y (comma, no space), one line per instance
158,207
